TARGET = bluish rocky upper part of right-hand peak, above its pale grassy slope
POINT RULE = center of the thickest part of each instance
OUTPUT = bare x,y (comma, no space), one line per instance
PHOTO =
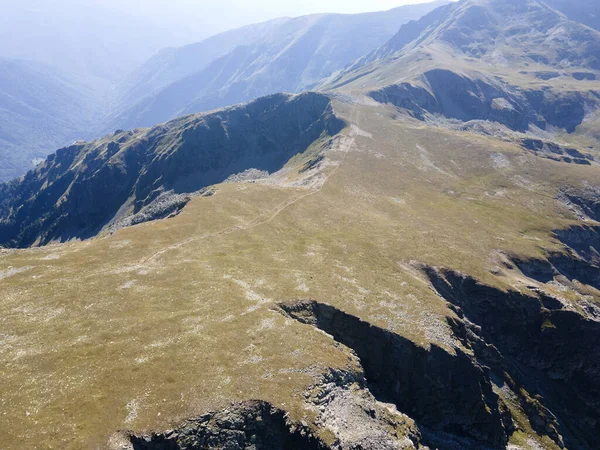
509,32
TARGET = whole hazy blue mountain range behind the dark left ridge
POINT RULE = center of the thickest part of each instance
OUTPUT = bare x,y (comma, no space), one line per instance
283,55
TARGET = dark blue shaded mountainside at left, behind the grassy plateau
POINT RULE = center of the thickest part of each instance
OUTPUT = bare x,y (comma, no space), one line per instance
79,189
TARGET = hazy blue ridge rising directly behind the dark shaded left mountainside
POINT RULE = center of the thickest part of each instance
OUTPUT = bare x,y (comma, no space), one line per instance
285,55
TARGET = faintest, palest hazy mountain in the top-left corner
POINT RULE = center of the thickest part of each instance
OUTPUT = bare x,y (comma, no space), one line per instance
83,37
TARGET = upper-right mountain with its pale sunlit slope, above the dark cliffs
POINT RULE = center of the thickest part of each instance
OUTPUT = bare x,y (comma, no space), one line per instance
527,44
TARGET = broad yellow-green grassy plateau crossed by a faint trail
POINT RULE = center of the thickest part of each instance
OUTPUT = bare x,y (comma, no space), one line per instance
168,319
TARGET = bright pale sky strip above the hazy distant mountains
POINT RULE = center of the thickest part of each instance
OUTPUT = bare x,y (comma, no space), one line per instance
187,20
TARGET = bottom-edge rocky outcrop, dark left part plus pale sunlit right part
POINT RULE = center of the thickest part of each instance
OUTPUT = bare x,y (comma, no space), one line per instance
345,411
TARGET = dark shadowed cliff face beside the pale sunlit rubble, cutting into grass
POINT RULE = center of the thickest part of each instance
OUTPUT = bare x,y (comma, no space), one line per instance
443,392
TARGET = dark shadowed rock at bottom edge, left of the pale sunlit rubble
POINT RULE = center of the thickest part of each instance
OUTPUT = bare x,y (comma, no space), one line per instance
253,425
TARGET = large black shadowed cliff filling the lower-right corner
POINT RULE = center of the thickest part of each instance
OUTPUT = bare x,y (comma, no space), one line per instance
532,343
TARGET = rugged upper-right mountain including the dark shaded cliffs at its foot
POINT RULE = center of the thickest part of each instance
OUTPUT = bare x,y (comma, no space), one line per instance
486,60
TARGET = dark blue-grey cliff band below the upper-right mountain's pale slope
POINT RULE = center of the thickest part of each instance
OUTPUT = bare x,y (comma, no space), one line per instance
459,97
